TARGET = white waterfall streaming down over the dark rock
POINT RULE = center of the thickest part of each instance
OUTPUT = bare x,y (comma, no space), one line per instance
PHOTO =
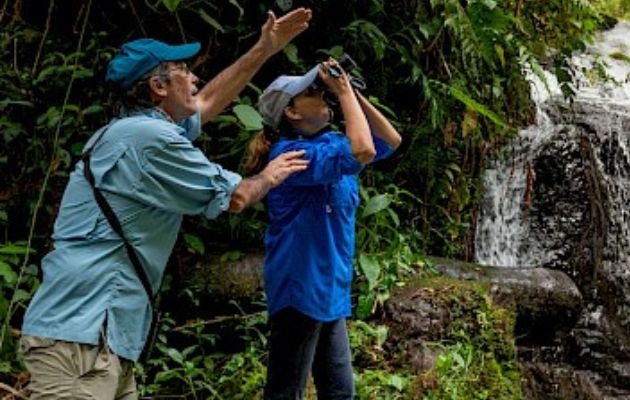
504,234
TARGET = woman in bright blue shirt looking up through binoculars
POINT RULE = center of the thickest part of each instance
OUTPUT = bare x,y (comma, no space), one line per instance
310,241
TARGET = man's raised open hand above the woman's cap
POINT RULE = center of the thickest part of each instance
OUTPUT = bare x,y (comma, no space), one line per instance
278,32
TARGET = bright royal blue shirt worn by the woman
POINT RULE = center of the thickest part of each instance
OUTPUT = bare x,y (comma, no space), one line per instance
310,241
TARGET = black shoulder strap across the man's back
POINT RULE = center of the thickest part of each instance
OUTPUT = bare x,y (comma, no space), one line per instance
113,219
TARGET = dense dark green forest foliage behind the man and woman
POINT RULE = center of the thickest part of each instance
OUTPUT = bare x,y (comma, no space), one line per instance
450,73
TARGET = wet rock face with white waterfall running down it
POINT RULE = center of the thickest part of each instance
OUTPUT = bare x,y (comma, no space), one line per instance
564,196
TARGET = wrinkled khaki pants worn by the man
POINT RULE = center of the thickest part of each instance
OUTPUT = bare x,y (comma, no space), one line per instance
67,370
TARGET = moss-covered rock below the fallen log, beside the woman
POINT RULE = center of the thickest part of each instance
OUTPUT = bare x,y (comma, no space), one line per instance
459,342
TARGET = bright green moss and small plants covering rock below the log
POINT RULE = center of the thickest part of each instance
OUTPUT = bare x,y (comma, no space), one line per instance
479,355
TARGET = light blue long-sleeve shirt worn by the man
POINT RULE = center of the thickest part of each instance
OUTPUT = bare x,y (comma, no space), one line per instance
151,174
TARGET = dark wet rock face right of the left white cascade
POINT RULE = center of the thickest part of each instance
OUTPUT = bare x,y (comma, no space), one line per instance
581,217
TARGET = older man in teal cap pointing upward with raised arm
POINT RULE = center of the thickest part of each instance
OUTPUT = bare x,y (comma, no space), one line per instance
88,321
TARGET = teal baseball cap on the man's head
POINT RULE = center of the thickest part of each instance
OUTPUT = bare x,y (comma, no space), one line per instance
138,57
